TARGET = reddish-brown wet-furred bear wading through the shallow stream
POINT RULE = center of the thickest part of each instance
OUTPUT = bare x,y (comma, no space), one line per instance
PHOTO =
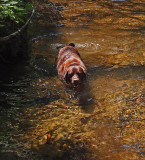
70,67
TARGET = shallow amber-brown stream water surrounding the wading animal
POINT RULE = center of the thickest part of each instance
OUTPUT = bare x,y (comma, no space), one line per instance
41,119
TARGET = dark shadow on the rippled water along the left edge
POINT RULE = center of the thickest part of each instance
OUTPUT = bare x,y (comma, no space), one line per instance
18,93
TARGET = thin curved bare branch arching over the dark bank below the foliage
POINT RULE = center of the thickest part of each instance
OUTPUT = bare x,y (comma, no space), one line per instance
2,39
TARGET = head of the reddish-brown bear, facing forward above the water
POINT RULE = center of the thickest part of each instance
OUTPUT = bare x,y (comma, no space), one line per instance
75,75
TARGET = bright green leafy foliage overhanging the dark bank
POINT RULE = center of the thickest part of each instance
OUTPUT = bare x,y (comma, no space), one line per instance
14,10
